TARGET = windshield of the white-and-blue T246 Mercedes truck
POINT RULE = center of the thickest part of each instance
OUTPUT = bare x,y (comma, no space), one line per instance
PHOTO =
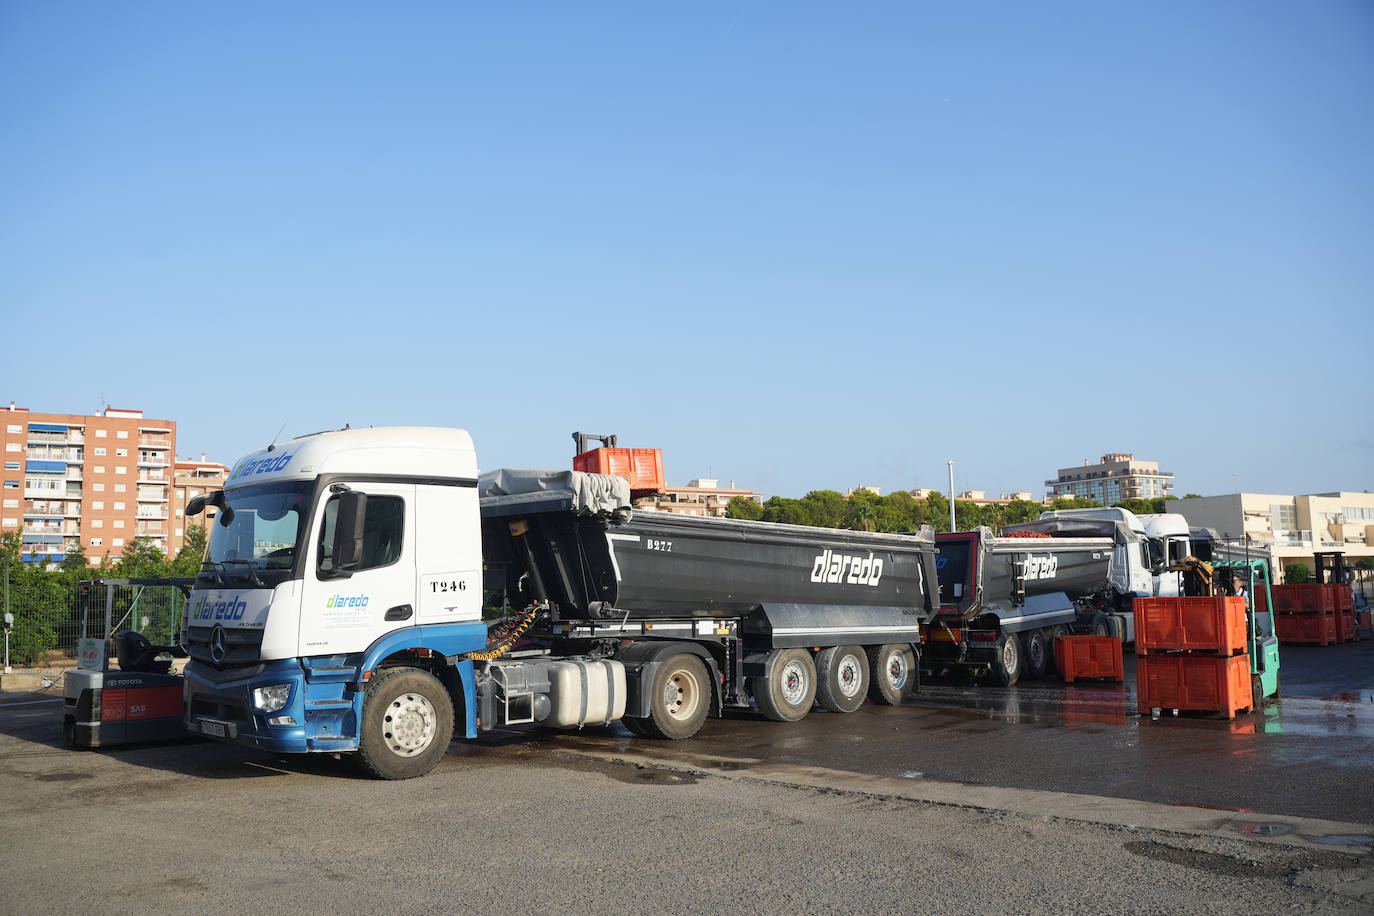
260,540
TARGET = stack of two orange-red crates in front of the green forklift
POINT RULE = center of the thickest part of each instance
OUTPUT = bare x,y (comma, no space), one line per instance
1192,656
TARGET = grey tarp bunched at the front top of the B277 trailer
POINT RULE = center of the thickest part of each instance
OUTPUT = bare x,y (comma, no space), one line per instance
515,491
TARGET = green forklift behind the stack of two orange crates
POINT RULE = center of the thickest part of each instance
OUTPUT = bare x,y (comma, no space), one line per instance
1243,579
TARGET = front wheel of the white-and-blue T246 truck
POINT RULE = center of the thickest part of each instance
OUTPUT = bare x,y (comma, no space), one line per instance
407,724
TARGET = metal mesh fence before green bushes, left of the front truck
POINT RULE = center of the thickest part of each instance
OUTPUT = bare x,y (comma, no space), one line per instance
52,617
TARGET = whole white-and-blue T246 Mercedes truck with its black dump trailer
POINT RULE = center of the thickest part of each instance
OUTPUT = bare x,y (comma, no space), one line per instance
340,606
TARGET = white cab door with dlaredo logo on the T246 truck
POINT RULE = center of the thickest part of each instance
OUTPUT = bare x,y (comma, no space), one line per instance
347,610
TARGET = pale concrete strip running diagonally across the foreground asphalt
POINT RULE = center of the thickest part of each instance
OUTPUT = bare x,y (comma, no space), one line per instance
1272,830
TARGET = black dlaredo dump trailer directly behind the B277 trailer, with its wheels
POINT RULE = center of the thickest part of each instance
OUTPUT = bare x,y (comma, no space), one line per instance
1005,599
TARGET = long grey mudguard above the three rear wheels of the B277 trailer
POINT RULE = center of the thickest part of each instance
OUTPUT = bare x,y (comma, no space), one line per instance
810,626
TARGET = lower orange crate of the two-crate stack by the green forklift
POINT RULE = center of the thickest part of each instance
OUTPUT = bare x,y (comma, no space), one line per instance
1199,683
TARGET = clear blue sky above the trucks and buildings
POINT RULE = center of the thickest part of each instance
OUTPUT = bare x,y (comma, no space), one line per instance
798,247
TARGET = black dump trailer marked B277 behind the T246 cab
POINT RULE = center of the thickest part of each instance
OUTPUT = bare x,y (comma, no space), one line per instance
707,613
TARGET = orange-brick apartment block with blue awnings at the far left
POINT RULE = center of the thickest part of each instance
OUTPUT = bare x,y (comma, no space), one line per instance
93,481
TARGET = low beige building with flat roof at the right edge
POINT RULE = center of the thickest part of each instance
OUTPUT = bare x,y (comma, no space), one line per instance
1288,529
